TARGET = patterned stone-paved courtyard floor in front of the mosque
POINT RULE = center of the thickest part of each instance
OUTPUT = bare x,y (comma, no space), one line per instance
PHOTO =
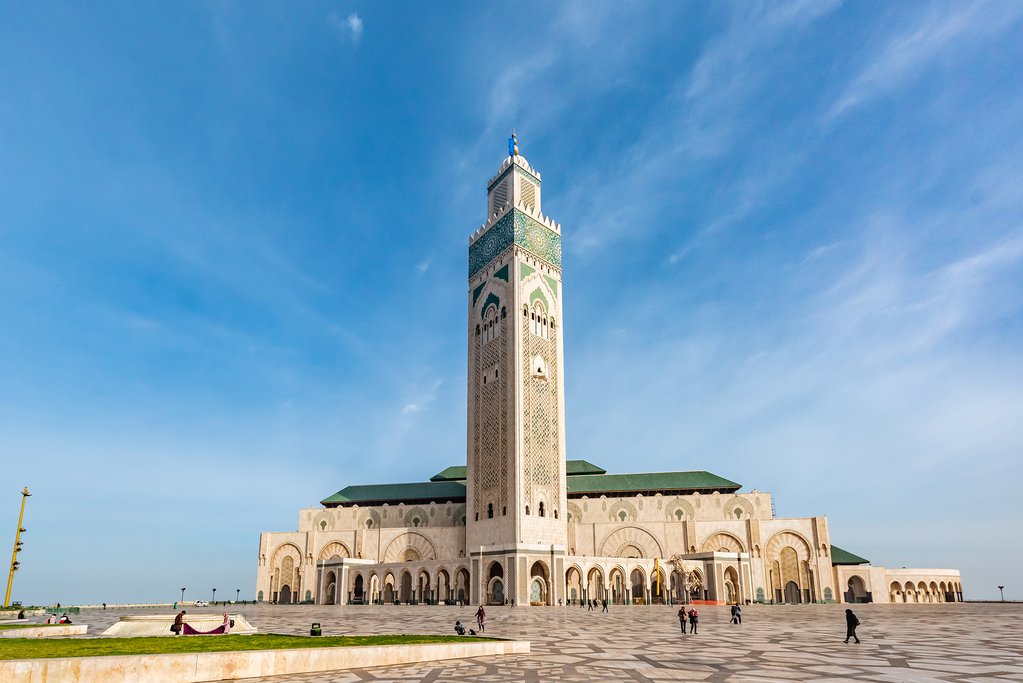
962,643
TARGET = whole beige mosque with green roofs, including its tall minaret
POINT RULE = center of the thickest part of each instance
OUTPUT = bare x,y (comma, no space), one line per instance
521,524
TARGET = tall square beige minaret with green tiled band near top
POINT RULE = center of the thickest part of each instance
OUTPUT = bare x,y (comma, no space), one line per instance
516,491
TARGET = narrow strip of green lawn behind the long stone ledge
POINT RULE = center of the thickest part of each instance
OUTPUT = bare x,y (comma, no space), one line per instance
36,649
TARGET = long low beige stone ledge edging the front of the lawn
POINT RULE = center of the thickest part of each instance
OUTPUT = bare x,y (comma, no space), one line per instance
197,667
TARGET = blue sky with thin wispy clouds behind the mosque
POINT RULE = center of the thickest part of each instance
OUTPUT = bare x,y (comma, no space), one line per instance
234,247
